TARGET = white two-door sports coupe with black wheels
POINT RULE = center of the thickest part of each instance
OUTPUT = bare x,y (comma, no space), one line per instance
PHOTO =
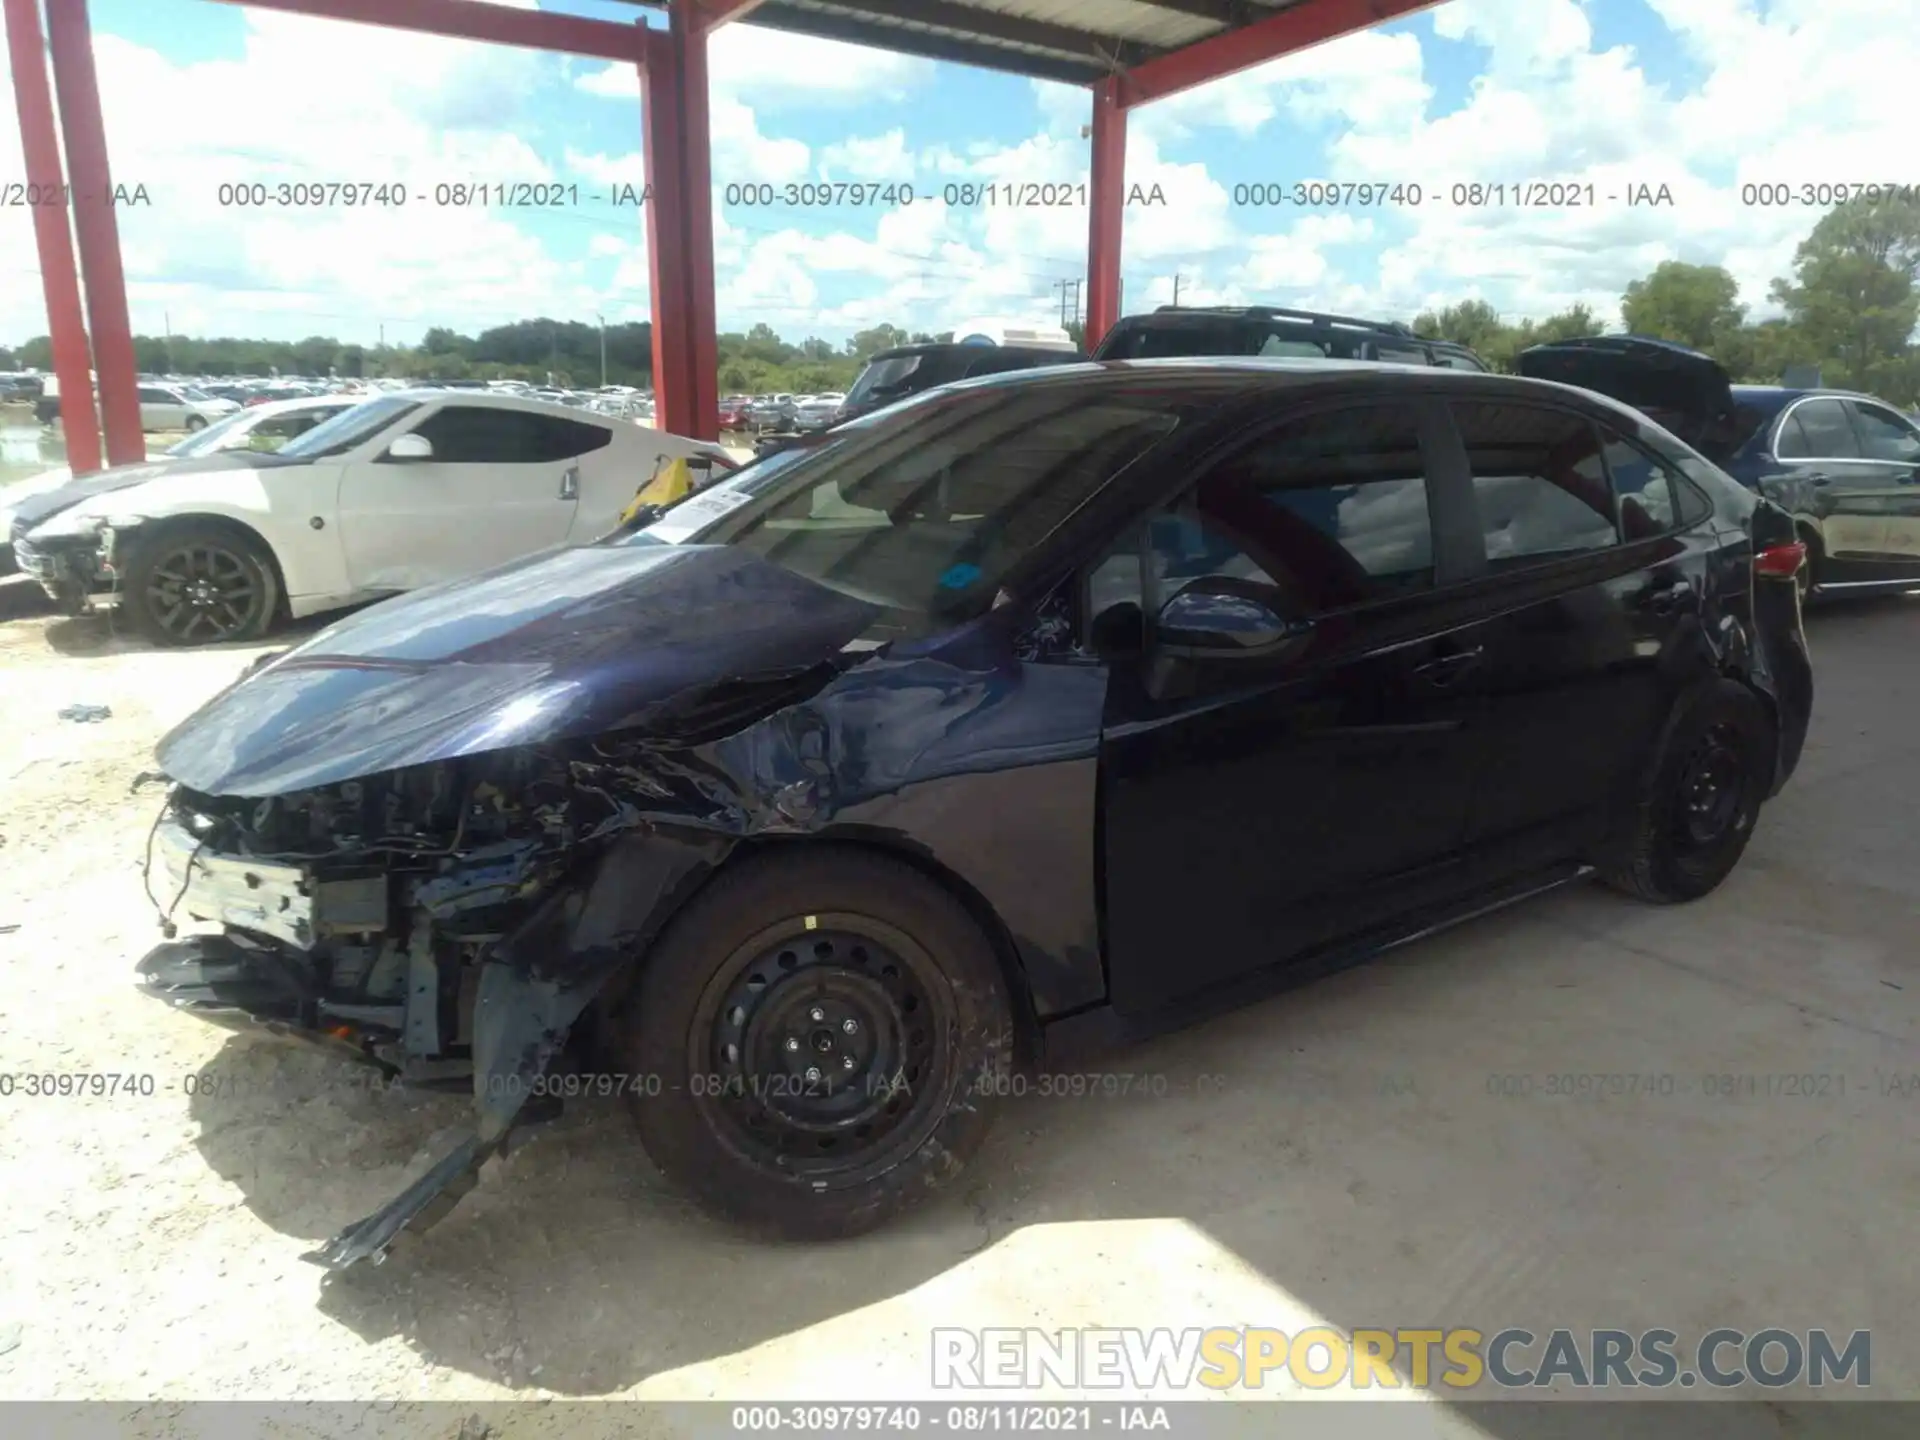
398,492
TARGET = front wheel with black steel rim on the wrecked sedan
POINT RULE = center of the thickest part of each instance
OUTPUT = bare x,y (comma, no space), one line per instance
830,1032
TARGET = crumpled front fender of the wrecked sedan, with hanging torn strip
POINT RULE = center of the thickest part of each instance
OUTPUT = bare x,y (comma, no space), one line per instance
884,750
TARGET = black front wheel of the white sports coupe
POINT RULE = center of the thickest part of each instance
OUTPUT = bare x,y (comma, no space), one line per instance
199,585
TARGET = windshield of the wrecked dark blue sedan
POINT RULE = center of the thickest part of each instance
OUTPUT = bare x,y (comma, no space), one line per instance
924,510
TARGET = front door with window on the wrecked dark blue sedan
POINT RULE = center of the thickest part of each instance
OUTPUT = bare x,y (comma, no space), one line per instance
1264,809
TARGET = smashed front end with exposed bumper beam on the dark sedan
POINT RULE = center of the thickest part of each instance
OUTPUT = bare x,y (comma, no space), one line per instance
444,924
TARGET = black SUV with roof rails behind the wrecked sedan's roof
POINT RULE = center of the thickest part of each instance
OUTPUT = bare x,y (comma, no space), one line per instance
1178,331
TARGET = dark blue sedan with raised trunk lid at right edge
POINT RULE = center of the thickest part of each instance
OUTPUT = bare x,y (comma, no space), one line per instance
1846,466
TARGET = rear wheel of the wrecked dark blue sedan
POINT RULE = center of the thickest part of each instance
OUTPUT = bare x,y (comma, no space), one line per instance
1698,807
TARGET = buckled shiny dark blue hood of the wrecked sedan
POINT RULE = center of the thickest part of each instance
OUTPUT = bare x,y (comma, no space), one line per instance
558,646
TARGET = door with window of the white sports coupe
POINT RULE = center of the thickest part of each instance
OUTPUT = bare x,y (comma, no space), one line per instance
491,492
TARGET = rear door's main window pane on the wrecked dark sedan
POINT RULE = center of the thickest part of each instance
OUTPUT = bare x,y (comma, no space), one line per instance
1539,481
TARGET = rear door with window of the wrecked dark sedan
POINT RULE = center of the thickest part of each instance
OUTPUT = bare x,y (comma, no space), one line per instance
1593,581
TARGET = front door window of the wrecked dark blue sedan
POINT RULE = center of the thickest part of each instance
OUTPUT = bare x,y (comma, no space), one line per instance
1324,514
